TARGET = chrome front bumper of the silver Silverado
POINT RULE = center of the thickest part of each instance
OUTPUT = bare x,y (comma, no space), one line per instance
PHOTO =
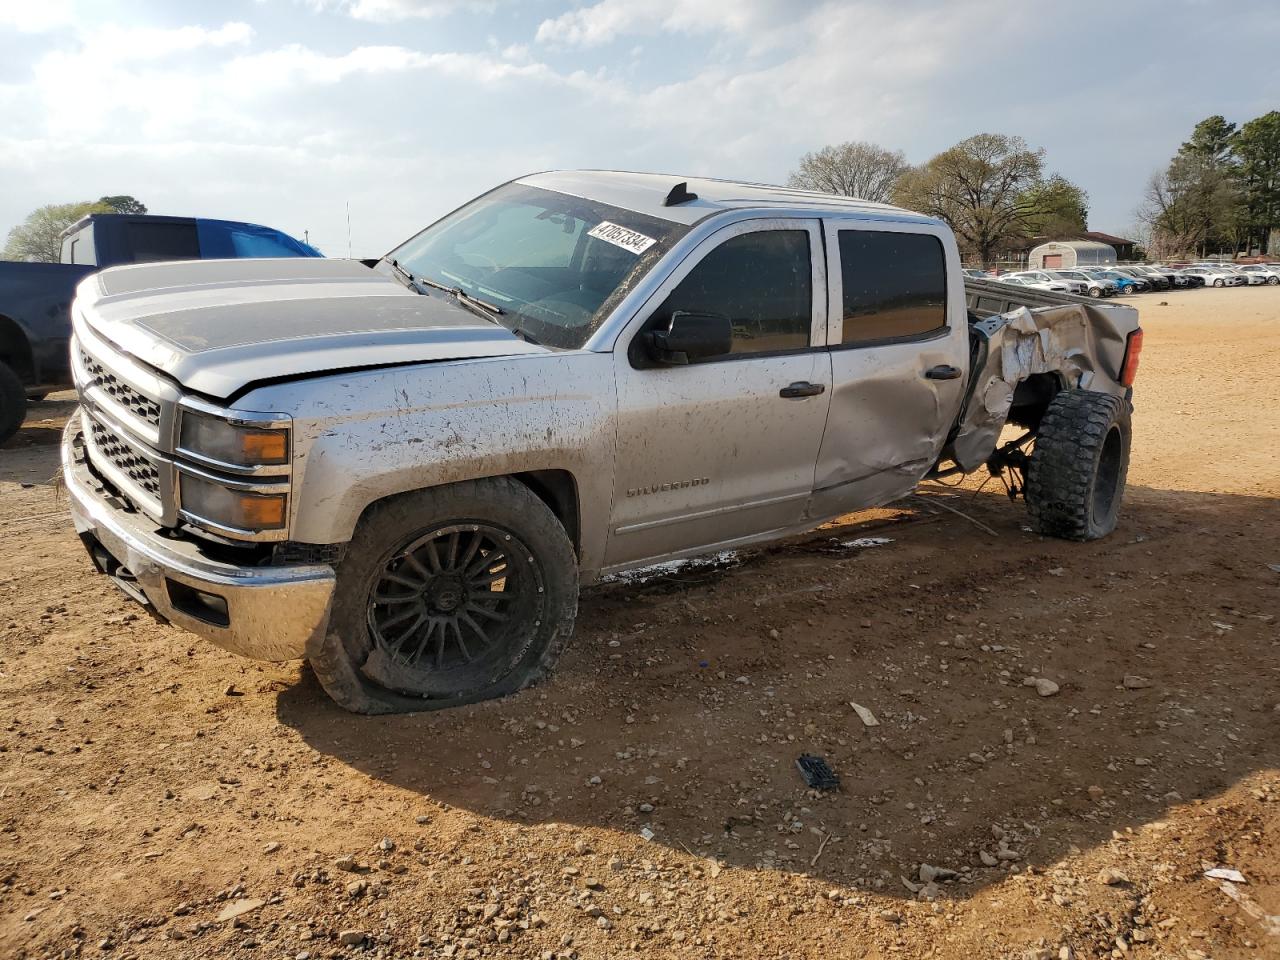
269,614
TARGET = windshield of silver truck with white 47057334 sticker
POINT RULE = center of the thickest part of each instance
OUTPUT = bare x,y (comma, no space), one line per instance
555,266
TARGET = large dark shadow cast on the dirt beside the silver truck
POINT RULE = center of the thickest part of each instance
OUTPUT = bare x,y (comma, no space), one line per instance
685,702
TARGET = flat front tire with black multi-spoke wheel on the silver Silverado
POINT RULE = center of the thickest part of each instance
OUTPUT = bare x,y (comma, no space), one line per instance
447,597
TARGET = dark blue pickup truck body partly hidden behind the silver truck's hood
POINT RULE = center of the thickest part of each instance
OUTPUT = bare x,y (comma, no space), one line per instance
35,324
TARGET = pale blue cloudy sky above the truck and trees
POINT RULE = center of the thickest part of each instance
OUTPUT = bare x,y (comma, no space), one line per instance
291,113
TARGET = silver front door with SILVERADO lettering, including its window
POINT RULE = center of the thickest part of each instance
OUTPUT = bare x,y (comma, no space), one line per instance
723,451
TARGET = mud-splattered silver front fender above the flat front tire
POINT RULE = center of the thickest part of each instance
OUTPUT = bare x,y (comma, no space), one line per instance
367,436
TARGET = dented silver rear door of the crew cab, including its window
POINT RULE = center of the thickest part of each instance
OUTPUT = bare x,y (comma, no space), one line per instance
899,349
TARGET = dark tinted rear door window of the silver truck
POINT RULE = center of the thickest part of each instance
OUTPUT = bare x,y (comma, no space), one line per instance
895,286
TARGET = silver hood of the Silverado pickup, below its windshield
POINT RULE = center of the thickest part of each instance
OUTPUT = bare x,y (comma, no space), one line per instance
220,326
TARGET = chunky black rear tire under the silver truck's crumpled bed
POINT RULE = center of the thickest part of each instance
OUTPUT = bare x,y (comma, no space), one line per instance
1077,473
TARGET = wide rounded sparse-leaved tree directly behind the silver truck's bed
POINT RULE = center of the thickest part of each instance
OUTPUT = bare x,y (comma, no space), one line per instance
980,188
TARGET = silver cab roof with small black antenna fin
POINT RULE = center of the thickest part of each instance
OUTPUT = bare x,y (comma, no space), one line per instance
647,193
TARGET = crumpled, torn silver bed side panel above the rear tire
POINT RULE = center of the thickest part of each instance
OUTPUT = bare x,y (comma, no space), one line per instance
1084,345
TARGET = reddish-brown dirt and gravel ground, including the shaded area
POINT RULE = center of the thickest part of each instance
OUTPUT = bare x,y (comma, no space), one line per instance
153,787
